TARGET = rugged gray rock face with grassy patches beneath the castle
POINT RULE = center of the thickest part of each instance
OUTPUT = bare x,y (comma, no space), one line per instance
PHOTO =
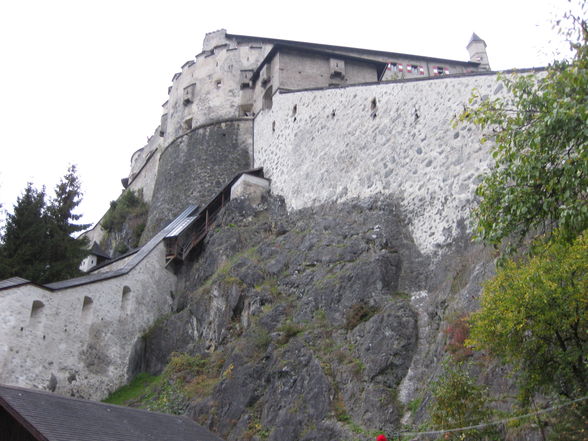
314,317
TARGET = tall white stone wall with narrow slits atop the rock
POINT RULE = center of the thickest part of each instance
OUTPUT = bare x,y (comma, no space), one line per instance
335,149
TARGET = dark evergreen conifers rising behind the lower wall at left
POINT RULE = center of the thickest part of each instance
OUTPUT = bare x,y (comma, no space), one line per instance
37,242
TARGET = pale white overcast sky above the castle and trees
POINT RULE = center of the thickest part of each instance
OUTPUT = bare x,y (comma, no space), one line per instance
82,82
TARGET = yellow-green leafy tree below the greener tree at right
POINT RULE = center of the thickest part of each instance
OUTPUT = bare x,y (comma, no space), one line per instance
534,316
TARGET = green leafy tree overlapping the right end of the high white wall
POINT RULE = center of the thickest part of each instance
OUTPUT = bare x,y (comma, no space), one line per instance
540,134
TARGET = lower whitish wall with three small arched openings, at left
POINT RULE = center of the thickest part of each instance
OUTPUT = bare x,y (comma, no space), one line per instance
87,353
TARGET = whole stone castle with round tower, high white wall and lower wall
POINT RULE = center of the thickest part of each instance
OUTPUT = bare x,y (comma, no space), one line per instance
326,123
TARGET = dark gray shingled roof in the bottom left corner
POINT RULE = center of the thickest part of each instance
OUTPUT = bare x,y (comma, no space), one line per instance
58,418
